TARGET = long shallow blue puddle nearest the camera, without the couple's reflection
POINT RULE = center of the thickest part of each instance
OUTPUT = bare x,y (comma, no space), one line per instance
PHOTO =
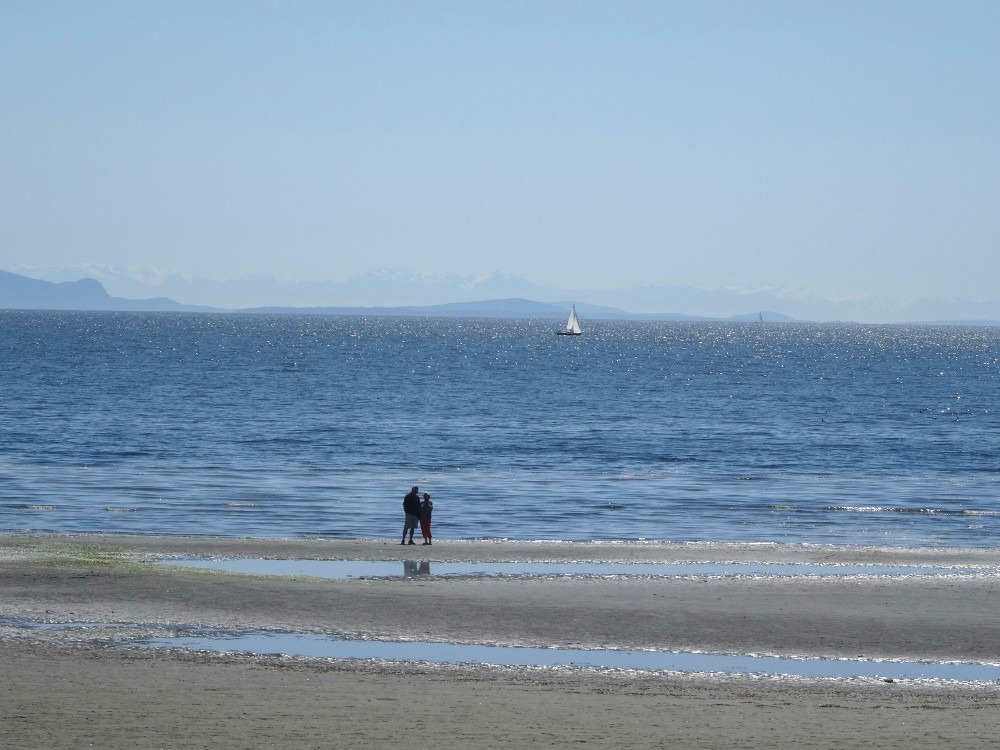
319,646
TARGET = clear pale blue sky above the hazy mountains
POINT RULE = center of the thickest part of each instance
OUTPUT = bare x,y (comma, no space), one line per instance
835,148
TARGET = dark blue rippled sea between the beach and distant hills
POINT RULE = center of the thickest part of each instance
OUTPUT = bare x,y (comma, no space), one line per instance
317,425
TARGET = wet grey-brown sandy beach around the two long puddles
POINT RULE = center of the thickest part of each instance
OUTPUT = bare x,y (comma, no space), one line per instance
75,687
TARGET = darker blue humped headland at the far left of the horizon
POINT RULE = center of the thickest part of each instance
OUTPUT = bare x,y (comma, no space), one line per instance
23,293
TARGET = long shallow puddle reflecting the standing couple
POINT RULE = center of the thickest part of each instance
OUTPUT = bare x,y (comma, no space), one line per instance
339,569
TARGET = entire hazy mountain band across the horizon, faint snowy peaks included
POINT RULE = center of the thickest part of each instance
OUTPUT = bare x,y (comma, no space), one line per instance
496,295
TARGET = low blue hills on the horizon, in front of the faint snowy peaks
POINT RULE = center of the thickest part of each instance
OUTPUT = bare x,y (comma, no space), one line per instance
24,293
